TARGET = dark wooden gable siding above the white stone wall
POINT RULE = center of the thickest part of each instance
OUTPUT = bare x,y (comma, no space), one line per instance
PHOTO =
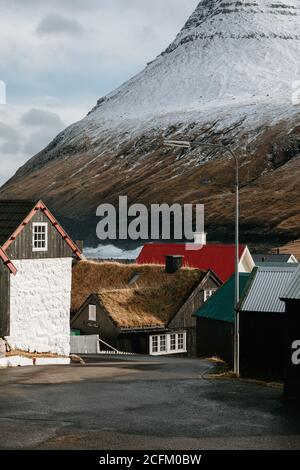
21,248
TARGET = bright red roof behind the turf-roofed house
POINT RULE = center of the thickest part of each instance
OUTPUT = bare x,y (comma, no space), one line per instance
218,258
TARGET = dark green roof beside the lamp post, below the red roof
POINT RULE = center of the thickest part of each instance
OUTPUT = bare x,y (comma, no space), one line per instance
221,305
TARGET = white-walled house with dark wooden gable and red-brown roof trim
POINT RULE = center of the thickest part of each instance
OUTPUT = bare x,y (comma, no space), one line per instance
35,278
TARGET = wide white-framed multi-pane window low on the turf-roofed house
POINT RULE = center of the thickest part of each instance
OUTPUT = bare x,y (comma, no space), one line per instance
169,343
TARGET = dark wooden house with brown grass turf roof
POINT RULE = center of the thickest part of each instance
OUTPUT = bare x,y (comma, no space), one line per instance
140,308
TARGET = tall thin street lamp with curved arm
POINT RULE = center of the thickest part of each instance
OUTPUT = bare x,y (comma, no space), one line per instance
188,145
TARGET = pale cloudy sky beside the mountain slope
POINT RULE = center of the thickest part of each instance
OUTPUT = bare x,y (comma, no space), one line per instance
57,57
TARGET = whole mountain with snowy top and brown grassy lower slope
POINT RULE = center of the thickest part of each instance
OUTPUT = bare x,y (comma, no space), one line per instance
232,75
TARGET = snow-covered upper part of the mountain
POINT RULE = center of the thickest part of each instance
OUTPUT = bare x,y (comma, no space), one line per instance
228,51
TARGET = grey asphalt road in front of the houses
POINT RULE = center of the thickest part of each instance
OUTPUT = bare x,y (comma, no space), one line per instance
140,402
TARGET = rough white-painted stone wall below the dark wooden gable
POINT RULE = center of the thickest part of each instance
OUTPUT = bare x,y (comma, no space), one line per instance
40,297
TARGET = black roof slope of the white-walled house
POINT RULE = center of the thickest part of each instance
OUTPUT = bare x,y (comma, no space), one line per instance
12,214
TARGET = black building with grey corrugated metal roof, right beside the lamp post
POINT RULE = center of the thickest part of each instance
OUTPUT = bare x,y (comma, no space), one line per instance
263,322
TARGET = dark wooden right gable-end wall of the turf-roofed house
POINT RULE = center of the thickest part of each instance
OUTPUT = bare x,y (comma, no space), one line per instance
185,318
